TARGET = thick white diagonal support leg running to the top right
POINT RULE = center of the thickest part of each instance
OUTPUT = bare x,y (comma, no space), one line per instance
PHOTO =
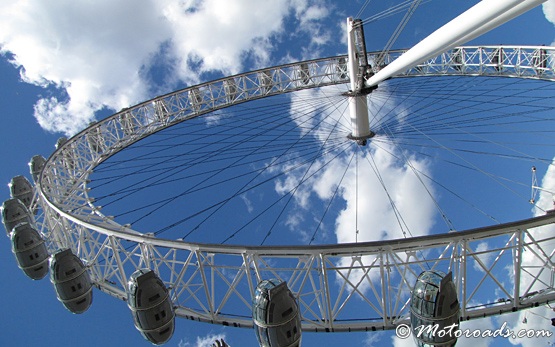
482,17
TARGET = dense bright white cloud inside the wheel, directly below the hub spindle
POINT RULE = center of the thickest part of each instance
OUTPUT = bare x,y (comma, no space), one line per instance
381,200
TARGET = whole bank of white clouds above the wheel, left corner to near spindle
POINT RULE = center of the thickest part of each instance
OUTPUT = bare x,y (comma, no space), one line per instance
108,55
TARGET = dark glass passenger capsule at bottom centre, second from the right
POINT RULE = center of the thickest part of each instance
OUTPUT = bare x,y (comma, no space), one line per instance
276,317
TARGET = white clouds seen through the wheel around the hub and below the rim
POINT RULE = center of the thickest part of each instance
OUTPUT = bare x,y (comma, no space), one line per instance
392,197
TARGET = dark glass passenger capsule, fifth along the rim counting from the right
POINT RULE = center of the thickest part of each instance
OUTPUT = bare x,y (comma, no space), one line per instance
30,251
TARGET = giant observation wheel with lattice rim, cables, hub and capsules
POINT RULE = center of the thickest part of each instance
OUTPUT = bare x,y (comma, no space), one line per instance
196,203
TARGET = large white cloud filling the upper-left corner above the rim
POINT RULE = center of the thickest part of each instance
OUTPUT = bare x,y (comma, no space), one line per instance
91,51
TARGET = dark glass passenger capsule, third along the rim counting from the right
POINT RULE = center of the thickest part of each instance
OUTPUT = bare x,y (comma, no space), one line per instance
149,301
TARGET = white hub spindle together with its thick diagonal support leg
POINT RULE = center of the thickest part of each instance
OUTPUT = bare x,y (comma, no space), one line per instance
479,19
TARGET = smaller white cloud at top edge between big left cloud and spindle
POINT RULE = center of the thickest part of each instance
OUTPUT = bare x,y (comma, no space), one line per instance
215,35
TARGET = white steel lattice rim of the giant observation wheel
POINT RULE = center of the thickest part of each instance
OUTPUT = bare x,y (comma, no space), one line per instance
364,286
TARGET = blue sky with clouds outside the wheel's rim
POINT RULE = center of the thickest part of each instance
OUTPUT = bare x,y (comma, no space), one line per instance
63,64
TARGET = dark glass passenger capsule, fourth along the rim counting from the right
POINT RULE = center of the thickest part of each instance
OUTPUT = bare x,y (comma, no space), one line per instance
71,280
